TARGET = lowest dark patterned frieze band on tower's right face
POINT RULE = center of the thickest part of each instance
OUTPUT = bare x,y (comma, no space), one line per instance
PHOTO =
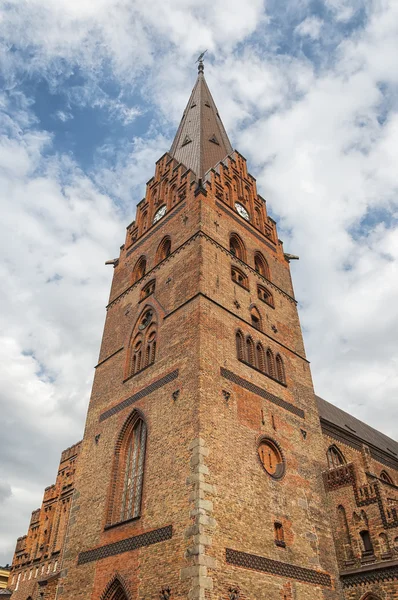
275,567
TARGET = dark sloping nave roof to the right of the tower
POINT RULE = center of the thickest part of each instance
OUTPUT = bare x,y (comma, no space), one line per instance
356,428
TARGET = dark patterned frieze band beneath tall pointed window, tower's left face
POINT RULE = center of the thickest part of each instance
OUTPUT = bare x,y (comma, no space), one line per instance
133,543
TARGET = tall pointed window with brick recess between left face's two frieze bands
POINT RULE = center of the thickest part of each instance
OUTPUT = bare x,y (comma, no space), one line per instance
128,471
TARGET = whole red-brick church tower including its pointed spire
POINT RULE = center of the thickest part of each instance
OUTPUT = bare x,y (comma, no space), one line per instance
199,473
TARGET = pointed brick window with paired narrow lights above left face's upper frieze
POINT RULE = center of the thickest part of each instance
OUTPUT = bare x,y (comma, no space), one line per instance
142,348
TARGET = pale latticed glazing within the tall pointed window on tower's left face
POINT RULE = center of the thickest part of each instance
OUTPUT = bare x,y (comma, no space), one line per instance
133,473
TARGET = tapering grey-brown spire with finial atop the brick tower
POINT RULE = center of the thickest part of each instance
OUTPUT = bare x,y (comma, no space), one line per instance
201,140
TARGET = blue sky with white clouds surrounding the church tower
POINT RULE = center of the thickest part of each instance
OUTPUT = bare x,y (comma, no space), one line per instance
91,95
